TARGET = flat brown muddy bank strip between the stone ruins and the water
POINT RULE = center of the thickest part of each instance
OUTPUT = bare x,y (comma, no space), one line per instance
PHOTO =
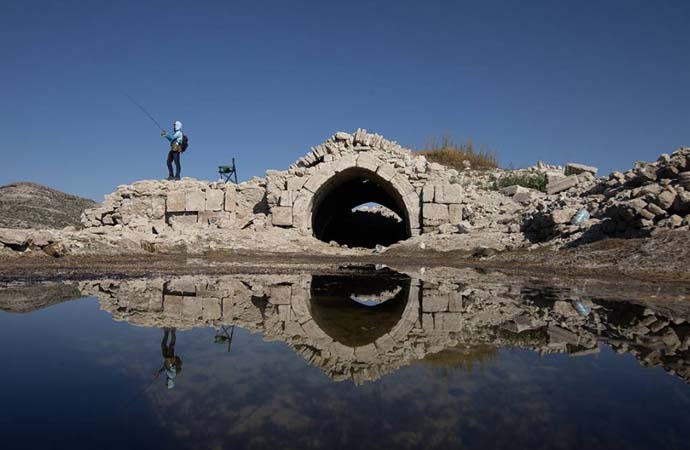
660,258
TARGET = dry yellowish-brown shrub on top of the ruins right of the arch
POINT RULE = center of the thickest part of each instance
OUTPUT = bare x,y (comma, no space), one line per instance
445,151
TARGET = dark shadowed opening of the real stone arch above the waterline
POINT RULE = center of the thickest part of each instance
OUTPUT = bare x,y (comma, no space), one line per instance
333,218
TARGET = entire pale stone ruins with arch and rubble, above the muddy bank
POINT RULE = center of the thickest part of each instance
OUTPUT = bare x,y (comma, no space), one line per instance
323,203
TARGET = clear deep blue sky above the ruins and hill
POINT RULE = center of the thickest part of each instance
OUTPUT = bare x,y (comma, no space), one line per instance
599,82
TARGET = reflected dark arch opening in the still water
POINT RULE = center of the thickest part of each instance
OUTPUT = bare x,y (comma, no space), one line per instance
349,322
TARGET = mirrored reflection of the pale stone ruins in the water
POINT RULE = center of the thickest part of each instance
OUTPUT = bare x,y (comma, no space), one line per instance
360,326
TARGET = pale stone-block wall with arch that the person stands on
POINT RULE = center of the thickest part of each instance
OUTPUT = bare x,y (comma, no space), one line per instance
424,191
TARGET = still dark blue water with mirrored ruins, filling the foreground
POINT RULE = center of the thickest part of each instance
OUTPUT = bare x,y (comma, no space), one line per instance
358,360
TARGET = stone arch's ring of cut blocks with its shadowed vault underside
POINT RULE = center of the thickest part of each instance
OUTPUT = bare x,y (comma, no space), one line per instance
350,182
